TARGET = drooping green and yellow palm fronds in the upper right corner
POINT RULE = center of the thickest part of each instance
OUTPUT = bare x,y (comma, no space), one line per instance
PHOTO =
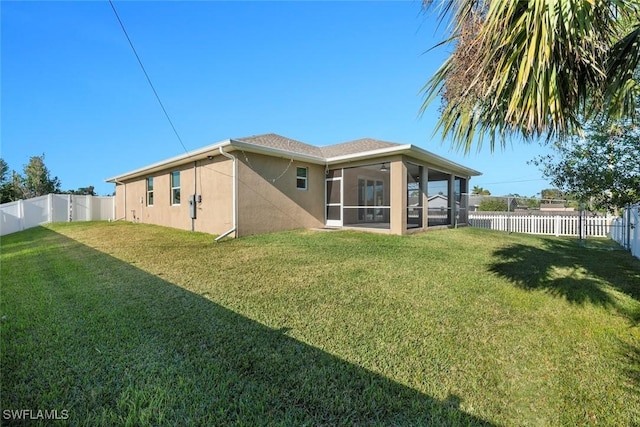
534,68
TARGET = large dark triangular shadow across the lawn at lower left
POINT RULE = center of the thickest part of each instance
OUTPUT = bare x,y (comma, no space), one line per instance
114,344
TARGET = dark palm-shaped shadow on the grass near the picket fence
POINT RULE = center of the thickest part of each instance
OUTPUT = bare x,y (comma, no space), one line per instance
578,274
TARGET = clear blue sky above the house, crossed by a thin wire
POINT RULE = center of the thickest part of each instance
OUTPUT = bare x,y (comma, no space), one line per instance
319,72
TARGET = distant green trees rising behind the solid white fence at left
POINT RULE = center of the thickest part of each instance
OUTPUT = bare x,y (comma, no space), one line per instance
35,180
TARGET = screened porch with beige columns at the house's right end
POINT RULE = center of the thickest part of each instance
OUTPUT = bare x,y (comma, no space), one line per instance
398,196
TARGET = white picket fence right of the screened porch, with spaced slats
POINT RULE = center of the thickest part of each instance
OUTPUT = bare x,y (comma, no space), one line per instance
554,225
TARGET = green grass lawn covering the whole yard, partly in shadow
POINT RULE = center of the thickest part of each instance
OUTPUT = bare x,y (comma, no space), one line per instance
121,323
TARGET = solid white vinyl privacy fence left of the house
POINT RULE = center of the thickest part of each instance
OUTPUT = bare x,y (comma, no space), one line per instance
23,214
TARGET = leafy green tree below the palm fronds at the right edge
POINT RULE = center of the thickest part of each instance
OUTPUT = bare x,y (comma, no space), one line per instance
602,169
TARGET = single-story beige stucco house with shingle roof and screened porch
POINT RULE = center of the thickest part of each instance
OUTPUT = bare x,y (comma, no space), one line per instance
268,183
